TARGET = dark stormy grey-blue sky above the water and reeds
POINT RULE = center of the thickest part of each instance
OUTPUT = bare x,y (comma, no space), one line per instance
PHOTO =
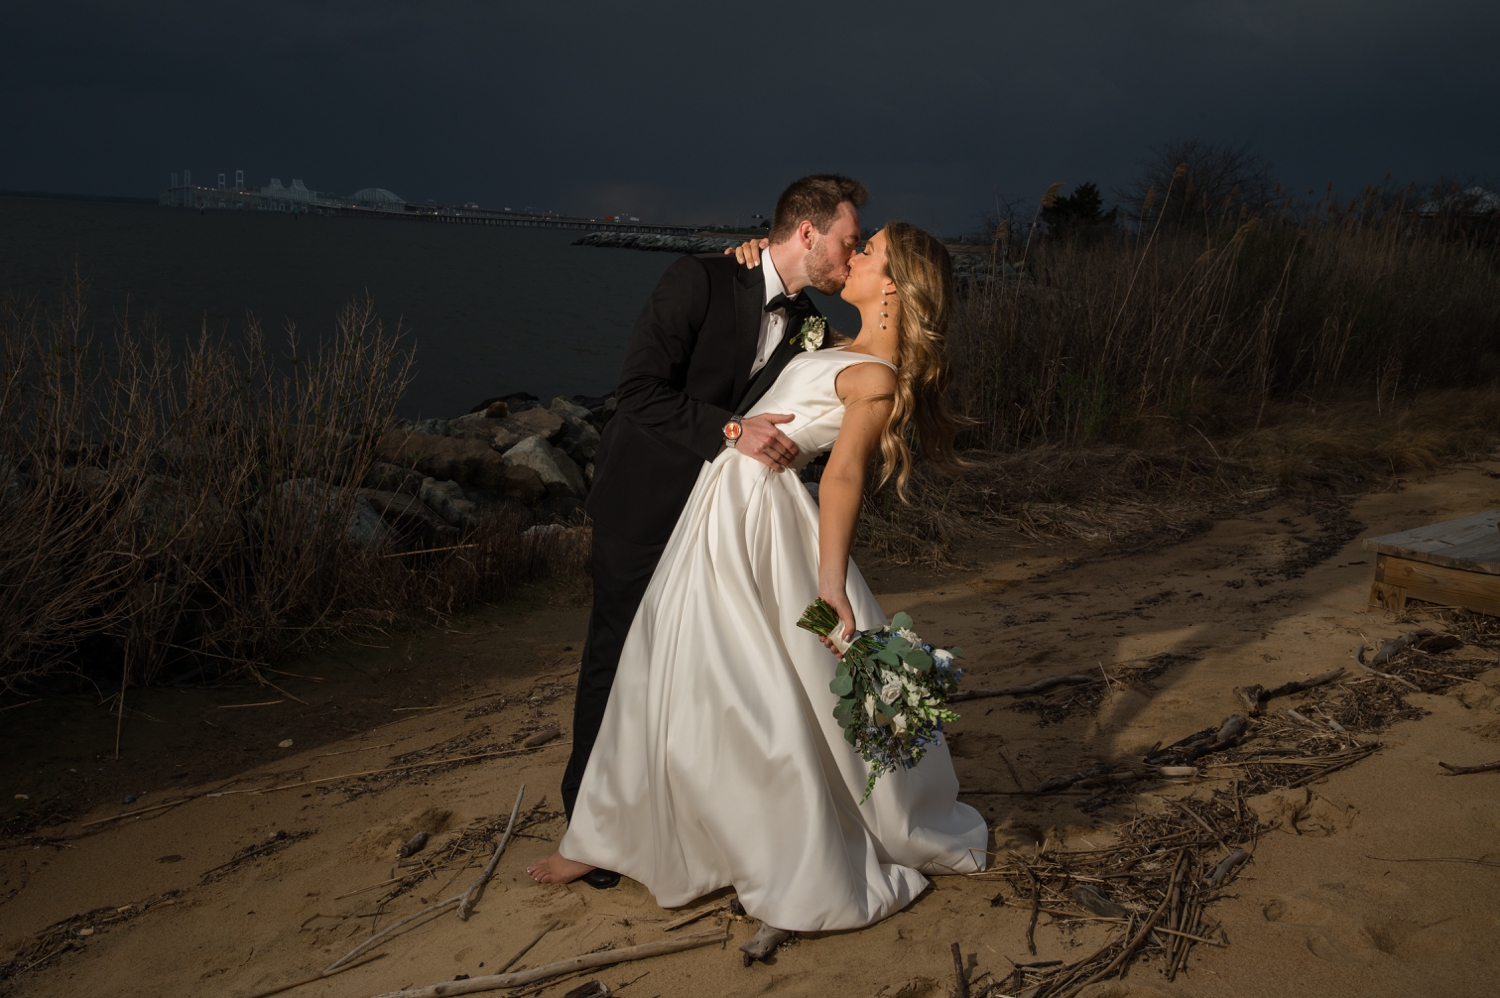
703,112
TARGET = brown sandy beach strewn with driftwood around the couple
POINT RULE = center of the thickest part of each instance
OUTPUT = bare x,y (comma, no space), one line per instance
1367,886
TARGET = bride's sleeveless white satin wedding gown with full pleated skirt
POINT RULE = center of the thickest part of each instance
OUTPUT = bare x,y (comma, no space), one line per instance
719,762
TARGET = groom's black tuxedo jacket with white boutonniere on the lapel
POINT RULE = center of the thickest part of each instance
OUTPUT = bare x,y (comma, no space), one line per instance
686,373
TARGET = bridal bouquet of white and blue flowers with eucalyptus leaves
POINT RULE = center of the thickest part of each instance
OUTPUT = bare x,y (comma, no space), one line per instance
893,691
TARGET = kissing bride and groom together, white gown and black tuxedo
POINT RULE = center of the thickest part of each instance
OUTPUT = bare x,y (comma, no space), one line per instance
706,753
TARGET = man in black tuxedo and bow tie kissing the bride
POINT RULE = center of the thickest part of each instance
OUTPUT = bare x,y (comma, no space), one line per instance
709,344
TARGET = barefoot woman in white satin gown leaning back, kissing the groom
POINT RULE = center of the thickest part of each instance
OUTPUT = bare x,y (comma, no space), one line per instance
719,762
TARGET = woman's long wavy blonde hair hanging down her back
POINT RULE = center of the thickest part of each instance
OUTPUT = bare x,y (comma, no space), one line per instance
922,271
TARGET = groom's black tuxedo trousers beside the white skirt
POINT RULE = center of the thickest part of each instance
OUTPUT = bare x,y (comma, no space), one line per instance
622,574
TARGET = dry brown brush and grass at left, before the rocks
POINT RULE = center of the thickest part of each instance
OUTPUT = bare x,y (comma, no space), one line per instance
170,511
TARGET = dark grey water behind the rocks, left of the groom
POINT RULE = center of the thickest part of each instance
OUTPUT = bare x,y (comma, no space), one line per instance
491,310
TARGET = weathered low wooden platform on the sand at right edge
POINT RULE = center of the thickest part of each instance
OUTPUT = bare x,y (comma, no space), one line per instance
1456,565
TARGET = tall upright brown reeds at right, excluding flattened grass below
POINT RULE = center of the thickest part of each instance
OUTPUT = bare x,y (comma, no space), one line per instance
1210,325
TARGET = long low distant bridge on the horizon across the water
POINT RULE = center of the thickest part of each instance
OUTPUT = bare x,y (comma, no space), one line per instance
220,199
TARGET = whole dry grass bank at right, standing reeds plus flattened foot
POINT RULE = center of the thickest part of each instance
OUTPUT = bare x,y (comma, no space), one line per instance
1114,388
